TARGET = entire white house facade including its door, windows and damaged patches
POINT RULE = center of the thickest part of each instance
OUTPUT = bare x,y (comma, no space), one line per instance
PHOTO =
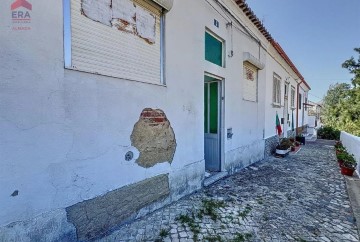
103,103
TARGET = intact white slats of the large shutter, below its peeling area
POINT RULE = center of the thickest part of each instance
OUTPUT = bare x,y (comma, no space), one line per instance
105,50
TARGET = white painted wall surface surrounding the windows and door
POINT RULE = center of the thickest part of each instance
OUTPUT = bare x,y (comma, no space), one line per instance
64,133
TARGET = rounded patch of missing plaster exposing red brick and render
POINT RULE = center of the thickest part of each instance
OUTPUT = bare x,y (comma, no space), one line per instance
154,137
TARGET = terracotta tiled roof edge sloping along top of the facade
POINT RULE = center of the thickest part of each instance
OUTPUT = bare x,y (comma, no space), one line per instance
258,24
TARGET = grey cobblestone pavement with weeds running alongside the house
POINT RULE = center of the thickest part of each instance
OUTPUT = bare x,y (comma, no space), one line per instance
298,198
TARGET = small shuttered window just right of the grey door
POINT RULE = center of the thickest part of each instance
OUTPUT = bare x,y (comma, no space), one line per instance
250,82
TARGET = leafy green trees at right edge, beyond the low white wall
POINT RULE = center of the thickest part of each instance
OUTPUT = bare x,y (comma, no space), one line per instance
342,101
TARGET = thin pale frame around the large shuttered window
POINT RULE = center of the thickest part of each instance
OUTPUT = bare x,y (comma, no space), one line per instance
68,44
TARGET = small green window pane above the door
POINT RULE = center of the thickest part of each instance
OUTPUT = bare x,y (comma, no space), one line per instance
214,49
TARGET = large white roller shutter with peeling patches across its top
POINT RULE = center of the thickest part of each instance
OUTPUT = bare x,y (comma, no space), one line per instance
100,46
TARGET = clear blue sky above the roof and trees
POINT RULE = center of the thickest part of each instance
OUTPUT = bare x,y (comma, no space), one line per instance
317,35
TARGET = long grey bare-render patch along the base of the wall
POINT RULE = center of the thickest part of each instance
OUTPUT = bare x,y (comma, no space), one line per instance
96,216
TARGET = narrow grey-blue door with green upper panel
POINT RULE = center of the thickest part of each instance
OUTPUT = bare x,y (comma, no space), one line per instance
212,111
